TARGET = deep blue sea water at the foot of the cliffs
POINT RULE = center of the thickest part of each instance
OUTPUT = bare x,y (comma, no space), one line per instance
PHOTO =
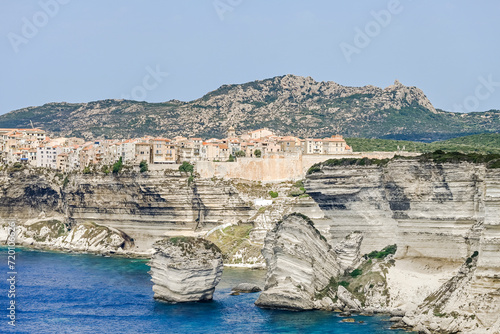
69,293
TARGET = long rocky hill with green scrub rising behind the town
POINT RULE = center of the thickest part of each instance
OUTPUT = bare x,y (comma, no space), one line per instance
289,104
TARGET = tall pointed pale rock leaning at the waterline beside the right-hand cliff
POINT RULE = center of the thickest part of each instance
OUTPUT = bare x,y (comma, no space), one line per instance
301,266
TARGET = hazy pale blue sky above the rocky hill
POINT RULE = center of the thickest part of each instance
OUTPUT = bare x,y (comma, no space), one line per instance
86,50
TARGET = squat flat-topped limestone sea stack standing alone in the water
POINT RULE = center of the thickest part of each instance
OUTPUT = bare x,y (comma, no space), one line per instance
185,269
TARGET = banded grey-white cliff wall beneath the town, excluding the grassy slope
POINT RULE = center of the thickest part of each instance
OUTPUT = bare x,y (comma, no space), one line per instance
145,207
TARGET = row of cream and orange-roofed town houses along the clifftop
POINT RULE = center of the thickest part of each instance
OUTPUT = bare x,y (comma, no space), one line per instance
34,147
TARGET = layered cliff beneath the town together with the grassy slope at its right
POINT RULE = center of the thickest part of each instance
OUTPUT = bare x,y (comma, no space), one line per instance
146,207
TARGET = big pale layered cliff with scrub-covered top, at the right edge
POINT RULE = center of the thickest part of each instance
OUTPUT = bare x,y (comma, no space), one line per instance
445,220
